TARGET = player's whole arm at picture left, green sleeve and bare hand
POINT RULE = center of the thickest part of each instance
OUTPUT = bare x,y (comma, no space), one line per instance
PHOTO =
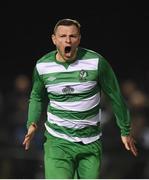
36,104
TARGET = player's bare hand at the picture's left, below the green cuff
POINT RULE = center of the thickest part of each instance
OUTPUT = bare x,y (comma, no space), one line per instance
28,137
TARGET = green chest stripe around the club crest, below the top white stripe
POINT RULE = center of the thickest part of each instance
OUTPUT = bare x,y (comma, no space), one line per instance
74,76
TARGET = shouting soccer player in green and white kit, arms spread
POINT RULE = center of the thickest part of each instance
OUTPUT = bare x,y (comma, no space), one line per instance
73,77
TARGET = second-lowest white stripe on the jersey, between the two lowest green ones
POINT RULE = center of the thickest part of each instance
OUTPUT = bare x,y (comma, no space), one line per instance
76,124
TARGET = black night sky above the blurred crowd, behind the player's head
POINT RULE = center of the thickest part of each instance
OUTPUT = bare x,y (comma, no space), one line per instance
116,29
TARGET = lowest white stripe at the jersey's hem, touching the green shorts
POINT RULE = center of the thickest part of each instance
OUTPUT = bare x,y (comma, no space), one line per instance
86,140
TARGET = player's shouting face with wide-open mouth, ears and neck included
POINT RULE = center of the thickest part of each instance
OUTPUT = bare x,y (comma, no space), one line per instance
66,39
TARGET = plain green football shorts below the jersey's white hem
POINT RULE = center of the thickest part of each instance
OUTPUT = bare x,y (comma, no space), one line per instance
64,159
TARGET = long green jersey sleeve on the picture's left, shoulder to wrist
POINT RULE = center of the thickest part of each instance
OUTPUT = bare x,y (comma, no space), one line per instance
37,99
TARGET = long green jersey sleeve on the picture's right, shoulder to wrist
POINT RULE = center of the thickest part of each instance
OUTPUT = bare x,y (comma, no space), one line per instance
110,87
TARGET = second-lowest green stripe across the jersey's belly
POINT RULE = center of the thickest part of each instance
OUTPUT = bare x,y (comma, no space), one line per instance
74,114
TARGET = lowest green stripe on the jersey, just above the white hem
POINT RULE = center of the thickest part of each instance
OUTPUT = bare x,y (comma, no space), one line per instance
84,132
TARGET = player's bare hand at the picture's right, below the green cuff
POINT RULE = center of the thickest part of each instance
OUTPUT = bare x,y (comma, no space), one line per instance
129,144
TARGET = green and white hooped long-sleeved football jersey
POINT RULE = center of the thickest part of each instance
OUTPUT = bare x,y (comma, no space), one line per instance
73,90
